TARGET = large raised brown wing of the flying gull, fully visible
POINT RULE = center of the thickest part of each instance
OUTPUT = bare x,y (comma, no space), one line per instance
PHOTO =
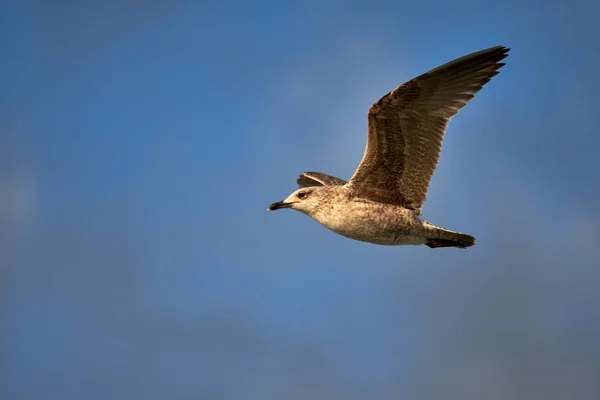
406,128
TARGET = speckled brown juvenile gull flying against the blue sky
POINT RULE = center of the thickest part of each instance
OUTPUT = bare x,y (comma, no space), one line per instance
382,202
